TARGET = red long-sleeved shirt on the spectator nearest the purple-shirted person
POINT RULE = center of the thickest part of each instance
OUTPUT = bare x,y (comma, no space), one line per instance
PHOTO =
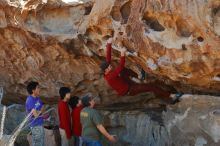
64,117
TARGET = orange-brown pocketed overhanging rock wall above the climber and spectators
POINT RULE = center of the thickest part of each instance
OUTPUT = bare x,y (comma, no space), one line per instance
61,43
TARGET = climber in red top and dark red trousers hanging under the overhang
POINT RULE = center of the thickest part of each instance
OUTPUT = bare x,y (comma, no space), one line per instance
121,79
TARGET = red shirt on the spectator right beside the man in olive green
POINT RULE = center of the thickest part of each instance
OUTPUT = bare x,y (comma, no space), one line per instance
76,125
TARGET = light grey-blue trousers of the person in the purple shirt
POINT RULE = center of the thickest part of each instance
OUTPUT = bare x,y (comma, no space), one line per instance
37,135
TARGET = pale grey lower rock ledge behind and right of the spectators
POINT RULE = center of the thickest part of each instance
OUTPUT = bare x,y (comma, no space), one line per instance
192,122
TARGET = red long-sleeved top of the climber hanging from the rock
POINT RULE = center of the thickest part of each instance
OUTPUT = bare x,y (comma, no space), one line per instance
113,78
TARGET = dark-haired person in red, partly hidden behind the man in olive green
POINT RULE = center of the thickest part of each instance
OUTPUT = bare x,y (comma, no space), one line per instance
76,105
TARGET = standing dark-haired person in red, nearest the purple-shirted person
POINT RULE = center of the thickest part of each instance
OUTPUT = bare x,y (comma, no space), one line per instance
64,116
